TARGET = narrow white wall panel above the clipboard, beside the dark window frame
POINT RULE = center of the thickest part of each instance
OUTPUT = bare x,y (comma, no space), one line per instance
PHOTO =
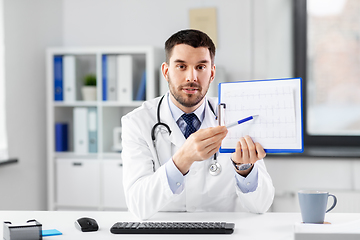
272,37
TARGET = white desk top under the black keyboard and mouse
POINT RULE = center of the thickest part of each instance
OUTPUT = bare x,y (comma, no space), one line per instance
247,226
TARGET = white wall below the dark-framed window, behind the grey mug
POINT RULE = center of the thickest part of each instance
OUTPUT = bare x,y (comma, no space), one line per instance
339,176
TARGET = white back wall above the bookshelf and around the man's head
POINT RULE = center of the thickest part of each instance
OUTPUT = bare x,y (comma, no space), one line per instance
254,36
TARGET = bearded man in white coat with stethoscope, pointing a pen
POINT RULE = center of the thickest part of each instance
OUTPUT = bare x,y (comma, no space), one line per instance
170,144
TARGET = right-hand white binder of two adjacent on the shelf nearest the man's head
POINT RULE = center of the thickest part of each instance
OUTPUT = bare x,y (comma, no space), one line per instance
125,78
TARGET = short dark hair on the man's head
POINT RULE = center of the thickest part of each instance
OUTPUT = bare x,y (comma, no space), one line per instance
191,37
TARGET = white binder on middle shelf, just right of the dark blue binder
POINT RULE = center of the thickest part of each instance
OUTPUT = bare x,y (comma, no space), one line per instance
81,133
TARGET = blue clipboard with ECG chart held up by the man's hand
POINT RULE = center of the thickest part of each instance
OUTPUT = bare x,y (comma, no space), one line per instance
278,104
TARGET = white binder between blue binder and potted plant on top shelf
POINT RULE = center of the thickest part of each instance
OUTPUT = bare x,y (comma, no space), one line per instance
69,78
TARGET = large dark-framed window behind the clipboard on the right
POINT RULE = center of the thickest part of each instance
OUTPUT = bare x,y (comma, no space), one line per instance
327,57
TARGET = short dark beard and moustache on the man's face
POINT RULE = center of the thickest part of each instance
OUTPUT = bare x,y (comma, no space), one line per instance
187,100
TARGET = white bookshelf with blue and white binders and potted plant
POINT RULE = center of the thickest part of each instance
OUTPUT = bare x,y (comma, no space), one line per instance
91,179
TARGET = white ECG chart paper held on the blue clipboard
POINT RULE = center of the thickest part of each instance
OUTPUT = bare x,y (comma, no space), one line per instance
275,107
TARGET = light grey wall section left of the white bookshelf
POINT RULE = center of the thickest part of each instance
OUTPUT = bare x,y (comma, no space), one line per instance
30,27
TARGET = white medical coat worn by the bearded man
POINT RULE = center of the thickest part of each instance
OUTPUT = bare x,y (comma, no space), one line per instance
147,191
